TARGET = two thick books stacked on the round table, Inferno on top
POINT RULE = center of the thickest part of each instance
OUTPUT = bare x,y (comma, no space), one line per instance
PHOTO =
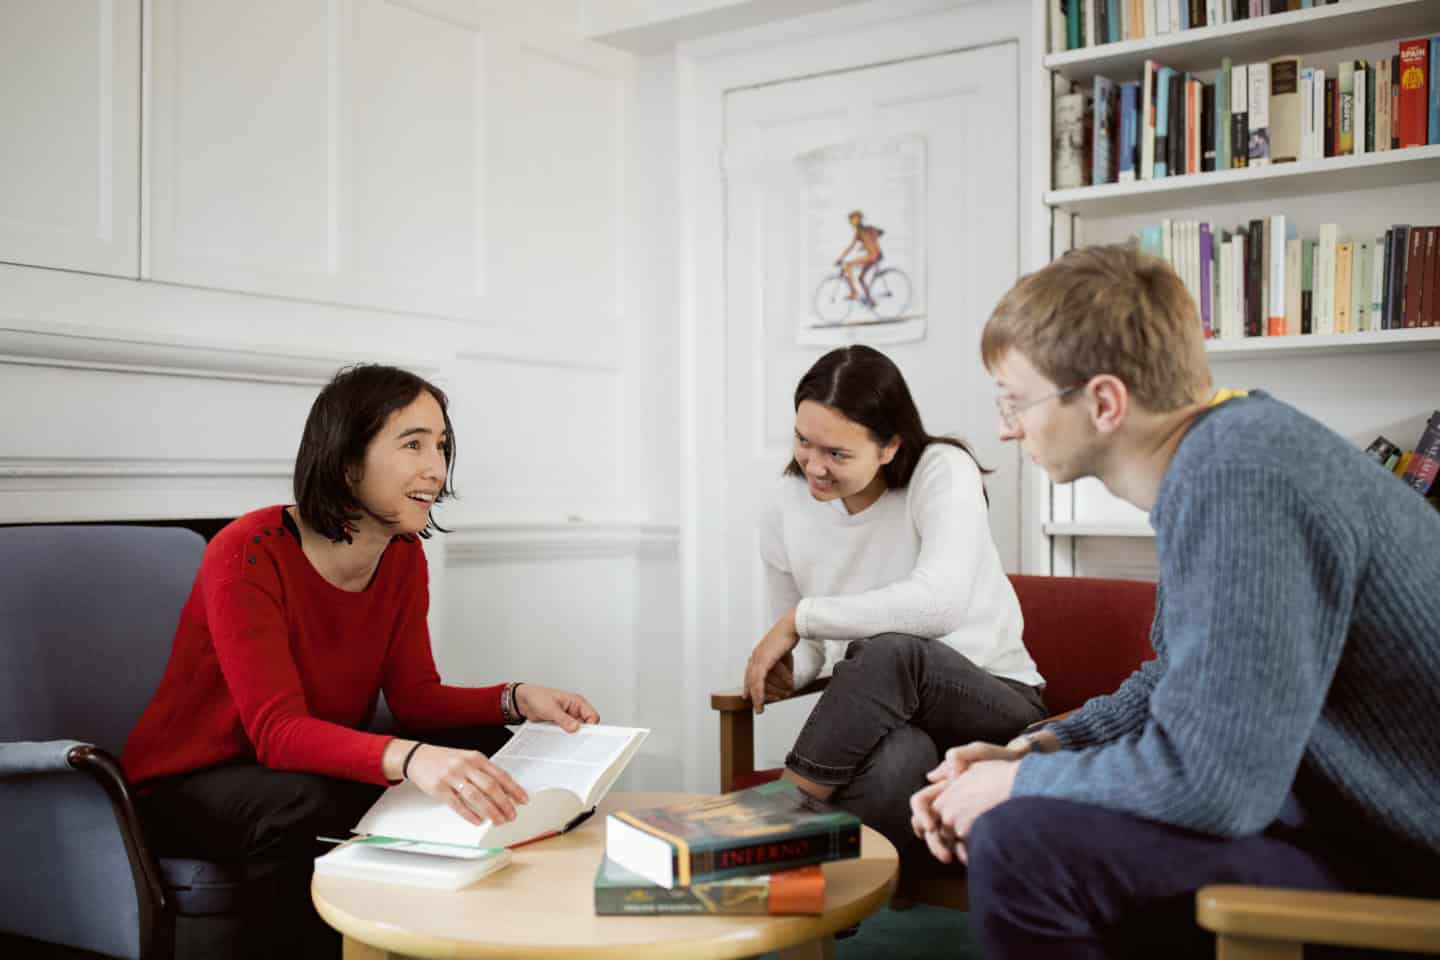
754,851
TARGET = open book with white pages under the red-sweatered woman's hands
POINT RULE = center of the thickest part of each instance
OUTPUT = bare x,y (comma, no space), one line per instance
565,775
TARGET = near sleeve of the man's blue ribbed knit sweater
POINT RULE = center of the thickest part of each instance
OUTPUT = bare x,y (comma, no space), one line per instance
1261,587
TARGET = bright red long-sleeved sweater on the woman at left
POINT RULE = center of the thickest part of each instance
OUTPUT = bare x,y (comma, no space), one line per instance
273,664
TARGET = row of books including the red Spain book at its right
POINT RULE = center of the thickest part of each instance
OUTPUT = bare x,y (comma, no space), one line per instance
1171,123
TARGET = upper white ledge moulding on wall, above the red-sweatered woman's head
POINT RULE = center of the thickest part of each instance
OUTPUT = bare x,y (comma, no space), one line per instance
87,349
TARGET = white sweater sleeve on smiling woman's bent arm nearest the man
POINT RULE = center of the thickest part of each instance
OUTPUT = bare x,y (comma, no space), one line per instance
948,509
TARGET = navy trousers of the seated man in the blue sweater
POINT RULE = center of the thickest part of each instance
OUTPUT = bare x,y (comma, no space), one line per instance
1056,879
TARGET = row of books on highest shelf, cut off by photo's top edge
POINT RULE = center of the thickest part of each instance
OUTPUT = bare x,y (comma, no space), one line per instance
1081,24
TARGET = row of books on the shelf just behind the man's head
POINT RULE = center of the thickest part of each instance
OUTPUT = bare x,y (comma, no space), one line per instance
1264,280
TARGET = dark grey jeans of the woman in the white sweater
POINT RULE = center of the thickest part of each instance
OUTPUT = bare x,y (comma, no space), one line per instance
894,706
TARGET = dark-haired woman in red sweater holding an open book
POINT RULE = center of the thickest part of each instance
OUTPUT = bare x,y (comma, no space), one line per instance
300,617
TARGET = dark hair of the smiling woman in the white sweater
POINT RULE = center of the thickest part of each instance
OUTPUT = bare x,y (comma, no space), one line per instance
866,386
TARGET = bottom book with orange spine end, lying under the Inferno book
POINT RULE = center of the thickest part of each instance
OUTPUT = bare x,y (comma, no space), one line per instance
620,893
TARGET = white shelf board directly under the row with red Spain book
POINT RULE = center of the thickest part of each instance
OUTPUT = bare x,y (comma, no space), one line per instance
1328,175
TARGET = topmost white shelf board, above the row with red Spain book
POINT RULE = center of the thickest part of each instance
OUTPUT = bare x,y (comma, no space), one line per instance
1300,32
